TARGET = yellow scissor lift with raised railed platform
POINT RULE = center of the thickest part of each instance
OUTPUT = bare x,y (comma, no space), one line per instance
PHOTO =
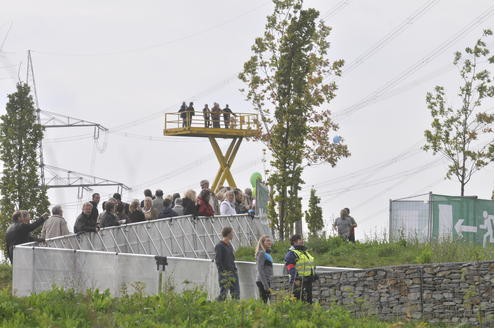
241,125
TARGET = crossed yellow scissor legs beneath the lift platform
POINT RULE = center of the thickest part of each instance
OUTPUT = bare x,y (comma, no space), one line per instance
225,162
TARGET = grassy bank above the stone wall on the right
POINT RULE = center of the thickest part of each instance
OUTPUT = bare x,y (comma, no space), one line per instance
335,252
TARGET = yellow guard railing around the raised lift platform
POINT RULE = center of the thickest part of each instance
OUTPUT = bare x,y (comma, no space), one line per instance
236,121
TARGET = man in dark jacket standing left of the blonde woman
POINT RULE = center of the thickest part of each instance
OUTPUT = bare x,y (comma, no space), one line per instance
227,270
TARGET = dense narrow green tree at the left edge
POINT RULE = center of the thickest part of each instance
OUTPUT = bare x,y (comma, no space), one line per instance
20,135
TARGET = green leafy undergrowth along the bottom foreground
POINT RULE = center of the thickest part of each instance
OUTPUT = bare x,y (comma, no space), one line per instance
59,308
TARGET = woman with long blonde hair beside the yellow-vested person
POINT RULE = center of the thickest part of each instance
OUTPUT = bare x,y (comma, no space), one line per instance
264,267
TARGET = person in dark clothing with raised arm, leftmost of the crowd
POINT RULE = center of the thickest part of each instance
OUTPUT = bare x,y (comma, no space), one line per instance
19,232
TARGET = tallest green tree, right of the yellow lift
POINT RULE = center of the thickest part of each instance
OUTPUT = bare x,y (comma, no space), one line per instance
289,83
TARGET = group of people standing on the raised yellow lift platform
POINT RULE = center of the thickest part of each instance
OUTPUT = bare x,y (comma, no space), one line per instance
211,116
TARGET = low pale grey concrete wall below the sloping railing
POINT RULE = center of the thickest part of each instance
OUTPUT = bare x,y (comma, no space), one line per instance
39,268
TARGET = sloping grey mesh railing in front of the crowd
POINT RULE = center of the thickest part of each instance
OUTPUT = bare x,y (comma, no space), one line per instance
184,236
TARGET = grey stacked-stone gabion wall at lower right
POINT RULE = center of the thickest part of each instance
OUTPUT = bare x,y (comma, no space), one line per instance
445,292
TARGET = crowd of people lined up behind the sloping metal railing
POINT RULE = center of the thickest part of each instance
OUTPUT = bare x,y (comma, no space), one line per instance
114,212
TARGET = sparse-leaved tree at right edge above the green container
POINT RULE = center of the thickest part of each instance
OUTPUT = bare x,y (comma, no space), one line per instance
462,133
